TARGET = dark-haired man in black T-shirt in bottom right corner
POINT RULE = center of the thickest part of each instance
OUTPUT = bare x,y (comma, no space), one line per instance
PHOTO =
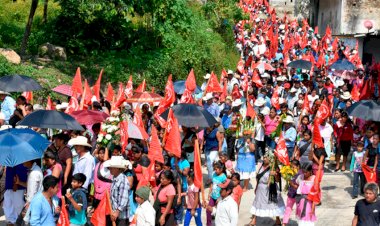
367,210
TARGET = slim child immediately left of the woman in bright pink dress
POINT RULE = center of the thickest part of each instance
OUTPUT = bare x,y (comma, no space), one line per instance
292,192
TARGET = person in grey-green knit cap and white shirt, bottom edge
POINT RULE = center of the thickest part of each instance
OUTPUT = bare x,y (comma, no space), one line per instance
145,214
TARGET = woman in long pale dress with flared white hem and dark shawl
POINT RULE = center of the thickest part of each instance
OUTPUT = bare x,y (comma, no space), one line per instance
268,200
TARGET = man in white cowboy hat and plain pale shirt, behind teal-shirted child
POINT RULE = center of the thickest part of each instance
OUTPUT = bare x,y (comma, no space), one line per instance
86,162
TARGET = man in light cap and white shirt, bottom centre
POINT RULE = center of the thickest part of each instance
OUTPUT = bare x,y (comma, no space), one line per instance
226,212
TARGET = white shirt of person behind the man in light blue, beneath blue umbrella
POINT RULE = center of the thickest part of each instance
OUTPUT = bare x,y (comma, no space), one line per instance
34,182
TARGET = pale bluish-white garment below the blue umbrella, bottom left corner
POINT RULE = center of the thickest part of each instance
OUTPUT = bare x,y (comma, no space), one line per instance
13,204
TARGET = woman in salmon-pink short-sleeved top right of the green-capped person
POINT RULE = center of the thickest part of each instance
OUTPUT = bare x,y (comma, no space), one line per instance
164,198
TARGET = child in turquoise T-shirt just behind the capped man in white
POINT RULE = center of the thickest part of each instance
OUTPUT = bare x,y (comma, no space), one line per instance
218,177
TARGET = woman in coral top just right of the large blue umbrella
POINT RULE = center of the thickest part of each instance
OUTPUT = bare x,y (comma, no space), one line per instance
54,168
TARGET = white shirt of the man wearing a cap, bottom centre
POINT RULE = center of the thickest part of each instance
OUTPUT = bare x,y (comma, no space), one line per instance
226,212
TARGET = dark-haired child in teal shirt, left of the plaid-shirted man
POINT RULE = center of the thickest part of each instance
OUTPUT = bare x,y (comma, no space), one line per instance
78,200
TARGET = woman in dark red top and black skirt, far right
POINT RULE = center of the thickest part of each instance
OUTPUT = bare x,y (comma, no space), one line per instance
344,134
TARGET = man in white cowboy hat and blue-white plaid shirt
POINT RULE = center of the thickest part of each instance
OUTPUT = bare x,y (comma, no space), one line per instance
119,190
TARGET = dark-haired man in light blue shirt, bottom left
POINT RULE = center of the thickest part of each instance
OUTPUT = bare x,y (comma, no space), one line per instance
41,205
